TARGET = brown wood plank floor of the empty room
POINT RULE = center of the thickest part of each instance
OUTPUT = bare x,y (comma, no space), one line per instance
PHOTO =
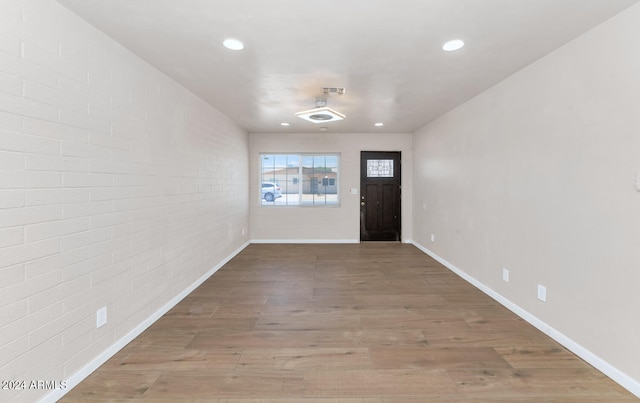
374,322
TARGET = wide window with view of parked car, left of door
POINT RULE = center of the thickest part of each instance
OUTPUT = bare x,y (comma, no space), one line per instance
299,179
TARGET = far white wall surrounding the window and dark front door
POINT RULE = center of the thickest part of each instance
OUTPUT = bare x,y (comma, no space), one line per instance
334,224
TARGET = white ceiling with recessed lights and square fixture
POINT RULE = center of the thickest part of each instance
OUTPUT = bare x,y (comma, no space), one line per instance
387,53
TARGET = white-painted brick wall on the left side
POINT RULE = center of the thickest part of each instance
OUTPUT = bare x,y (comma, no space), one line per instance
118,188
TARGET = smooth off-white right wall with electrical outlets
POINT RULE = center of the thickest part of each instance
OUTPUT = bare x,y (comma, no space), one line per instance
537,175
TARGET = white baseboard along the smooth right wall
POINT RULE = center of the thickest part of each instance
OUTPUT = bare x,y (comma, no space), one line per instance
612,372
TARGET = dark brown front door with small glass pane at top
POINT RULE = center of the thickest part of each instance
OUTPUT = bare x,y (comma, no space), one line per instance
380,196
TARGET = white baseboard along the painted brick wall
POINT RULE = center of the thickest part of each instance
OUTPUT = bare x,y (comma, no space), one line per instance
76,378
